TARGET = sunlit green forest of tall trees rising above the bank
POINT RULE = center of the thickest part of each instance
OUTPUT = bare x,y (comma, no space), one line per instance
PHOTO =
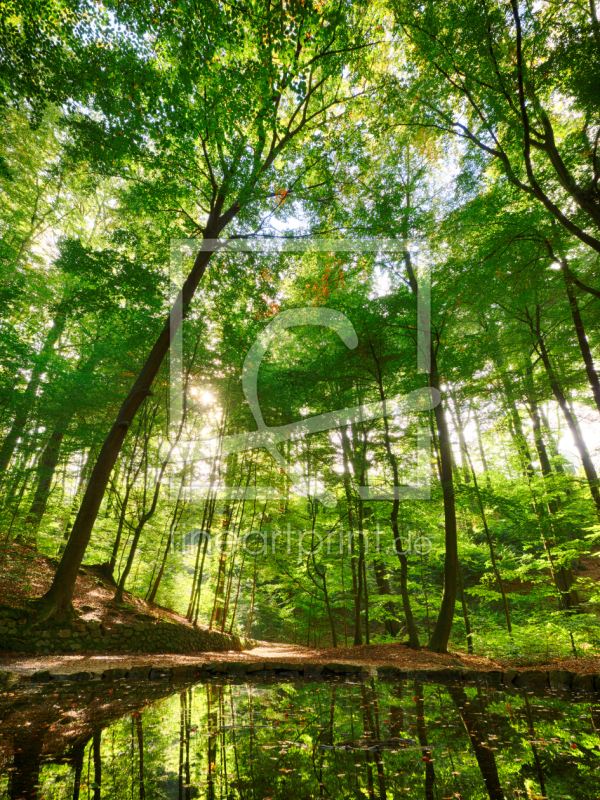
300,310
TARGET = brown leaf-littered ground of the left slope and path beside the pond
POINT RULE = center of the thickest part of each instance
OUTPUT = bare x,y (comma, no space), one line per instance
25,574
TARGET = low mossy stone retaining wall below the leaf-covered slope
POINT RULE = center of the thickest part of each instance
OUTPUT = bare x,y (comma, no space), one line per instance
19,634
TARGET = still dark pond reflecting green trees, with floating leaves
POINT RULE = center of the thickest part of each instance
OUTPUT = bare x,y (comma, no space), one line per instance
291,740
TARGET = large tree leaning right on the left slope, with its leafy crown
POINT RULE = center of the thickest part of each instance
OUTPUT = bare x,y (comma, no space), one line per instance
239,147
